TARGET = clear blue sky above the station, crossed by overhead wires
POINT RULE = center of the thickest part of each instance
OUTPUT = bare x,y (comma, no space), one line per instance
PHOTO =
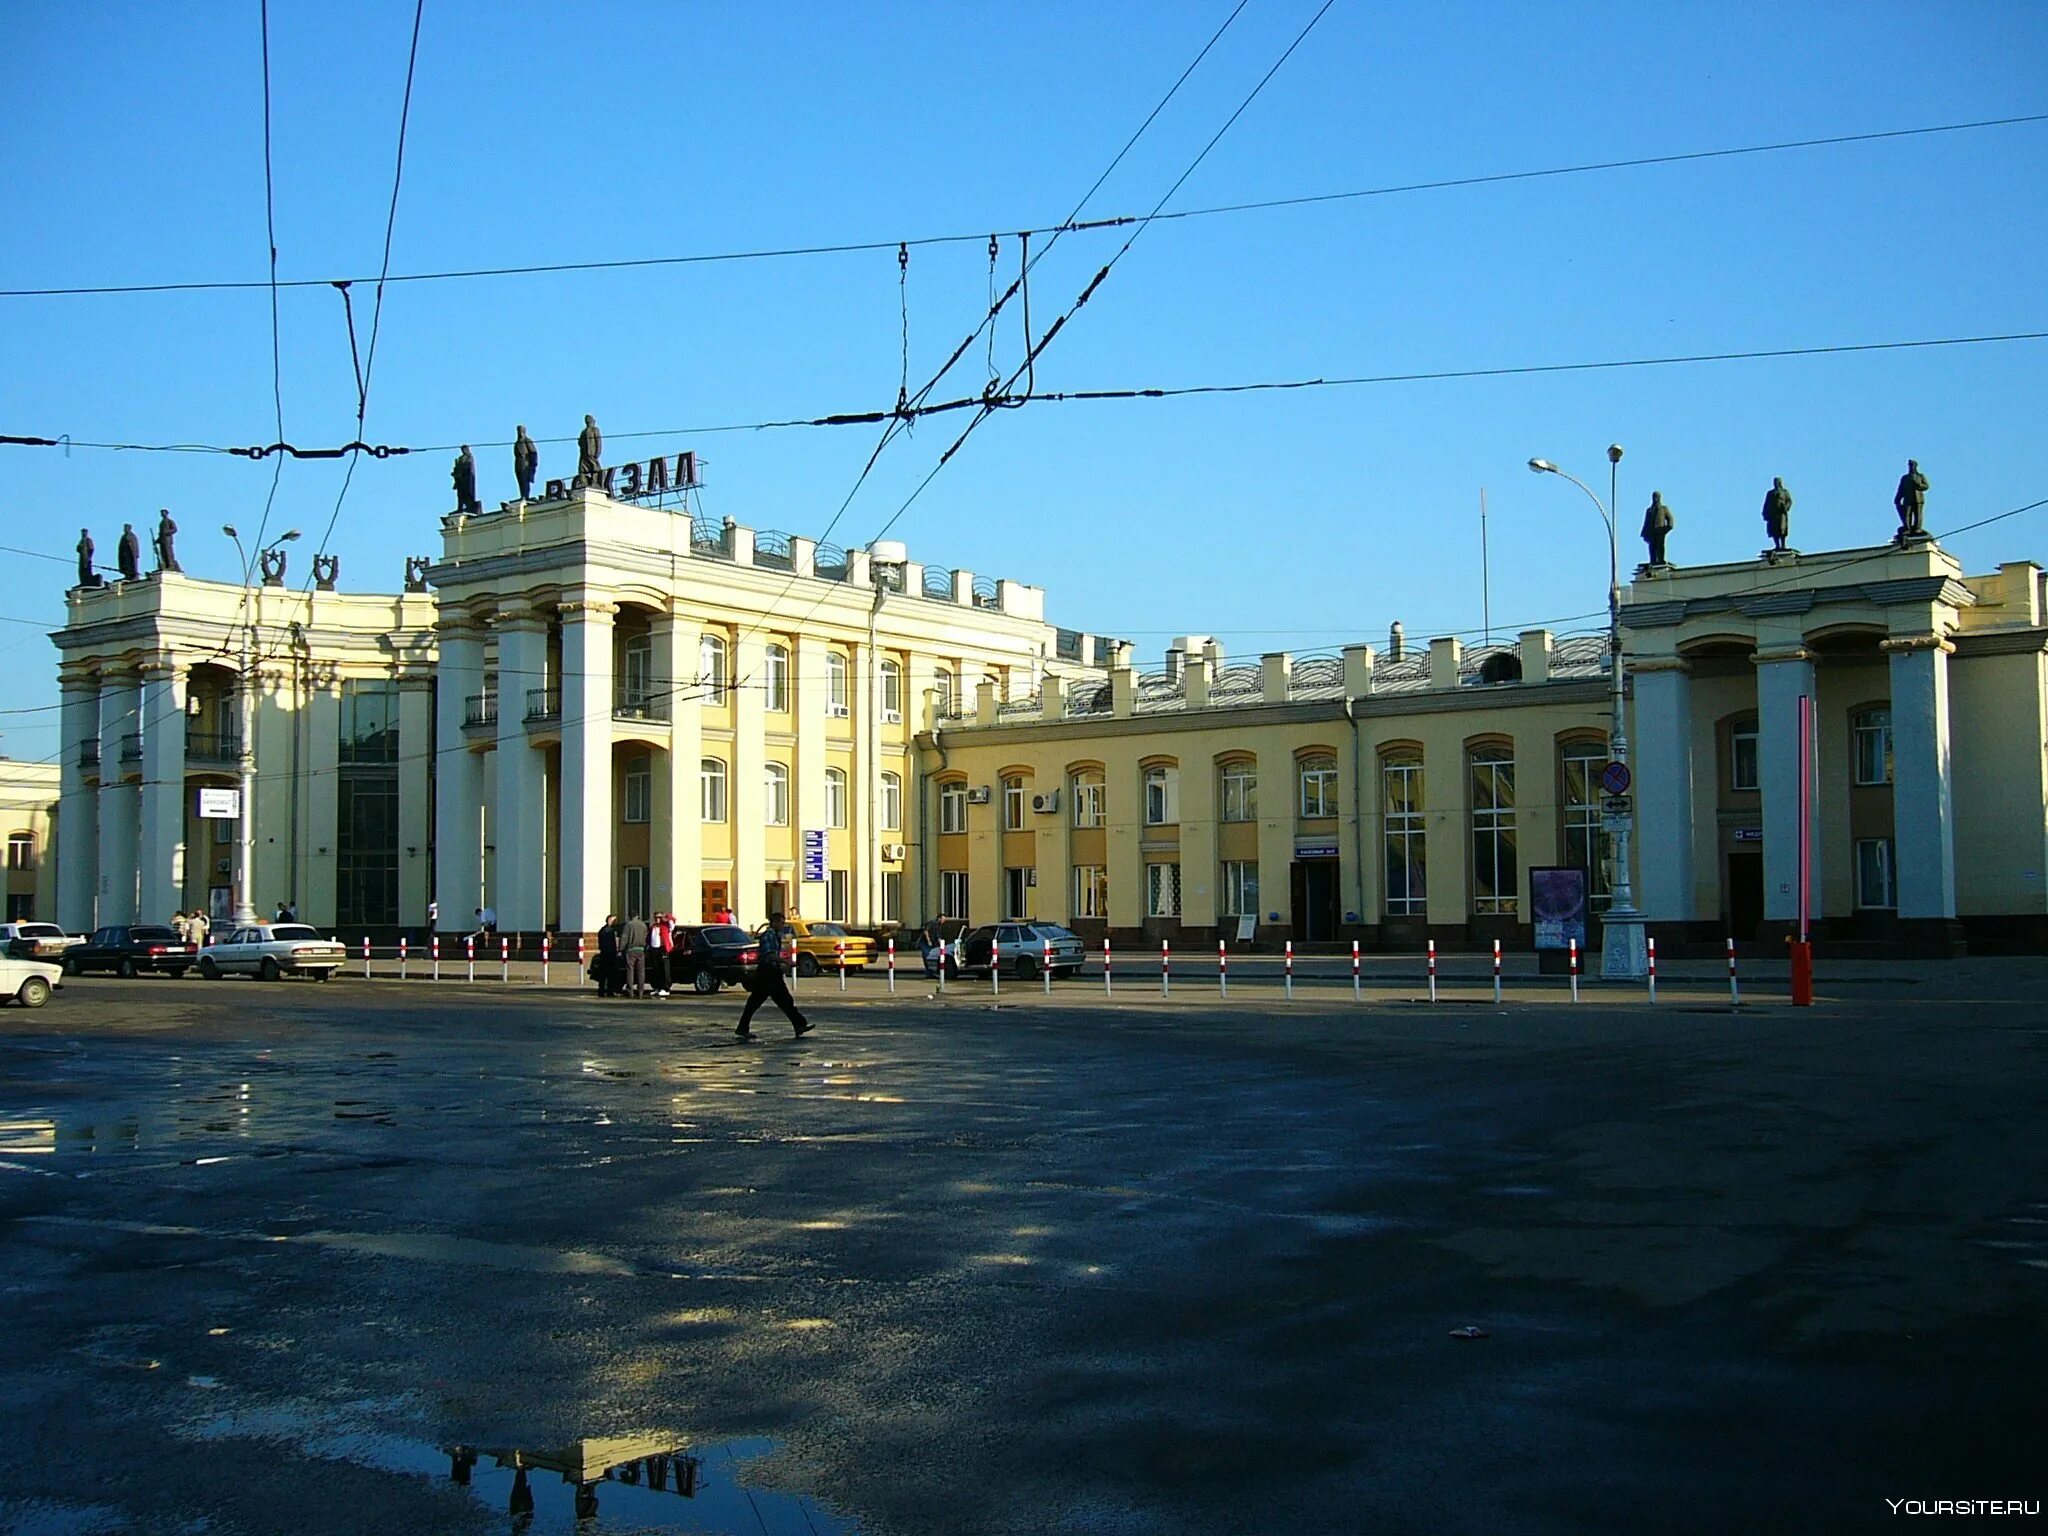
1279,521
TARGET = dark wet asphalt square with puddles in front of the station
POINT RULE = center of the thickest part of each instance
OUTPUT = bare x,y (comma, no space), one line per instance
374,1256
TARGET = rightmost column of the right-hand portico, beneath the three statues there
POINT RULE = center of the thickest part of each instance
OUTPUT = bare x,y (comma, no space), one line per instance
1922,802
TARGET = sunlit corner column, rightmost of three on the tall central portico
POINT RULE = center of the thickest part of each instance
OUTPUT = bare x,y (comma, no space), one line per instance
587,763
